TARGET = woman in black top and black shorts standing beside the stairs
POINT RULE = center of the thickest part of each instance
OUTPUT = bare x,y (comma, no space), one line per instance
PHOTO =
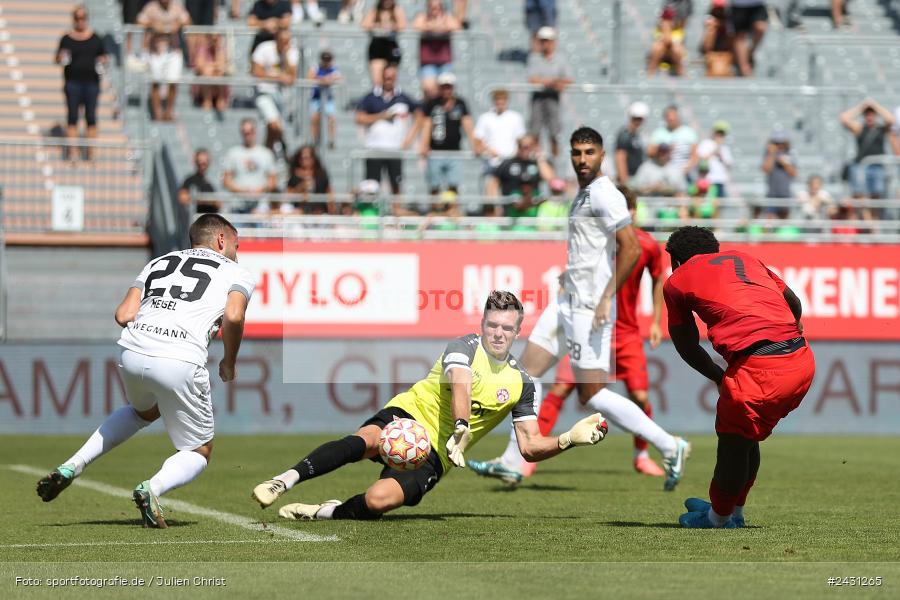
83,58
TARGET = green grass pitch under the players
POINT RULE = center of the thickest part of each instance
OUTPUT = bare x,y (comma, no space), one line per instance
585,524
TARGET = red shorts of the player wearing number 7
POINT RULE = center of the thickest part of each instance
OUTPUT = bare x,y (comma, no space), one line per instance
759,391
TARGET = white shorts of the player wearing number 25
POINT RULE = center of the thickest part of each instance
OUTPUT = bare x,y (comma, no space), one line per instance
180,390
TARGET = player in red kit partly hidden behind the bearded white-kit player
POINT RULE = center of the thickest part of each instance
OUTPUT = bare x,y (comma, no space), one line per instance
631,363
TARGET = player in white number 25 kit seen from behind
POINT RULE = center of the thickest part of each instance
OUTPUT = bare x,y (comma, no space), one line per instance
169,316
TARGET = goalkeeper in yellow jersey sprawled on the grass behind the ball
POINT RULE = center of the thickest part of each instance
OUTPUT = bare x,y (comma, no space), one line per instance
469,391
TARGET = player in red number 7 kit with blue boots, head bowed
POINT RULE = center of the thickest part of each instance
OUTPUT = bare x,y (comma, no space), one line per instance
753,321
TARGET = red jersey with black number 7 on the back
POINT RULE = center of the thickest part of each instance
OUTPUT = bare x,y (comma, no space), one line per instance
740,300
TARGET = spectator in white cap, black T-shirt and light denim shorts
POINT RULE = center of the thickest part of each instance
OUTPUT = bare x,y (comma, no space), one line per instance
446,118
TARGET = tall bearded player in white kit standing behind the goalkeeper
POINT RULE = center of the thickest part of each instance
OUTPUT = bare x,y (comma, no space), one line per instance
580,322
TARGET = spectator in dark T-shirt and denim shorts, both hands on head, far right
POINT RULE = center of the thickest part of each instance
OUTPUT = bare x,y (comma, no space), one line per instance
868,180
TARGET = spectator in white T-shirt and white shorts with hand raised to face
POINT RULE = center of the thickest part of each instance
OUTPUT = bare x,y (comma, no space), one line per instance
275,66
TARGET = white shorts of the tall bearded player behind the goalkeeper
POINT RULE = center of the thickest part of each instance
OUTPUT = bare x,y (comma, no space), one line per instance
563,330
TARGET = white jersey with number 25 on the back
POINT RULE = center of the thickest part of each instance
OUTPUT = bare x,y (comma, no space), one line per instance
184,295
